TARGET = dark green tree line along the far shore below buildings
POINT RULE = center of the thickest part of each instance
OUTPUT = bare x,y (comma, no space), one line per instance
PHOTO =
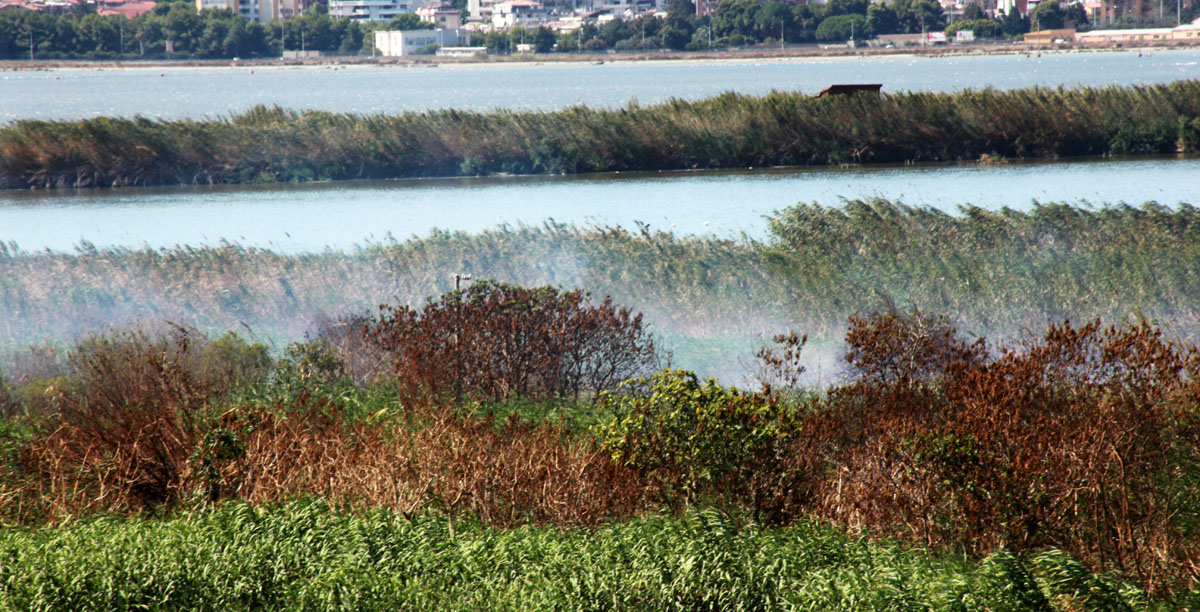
175,29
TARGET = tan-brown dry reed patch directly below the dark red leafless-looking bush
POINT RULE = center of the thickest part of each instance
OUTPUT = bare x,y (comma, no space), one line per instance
508,473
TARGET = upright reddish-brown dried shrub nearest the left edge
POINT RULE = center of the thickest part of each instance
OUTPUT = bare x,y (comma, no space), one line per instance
130,415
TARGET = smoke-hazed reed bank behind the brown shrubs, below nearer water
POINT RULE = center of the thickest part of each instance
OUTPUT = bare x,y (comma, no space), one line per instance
999,273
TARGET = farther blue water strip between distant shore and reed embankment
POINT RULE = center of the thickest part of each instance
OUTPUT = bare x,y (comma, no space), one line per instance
179,93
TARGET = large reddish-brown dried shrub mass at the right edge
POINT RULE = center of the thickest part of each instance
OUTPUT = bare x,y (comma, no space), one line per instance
1072,442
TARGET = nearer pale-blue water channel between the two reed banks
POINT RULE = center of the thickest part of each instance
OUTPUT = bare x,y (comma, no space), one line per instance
315,217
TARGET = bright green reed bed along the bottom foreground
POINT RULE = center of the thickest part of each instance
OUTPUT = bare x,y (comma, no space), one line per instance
304,556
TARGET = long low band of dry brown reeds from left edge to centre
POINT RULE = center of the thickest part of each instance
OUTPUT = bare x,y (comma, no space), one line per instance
503,473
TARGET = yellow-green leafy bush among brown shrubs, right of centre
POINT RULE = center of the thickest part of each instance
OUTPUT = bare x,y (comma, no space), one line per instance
709,441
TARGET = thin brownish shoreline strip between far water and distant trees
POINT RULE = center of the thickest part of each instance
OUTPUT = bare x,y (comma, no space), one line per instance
752,55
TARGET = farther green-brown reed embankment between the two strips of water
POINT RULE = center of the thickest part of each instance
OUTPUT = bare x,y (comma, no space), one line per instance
728,131
